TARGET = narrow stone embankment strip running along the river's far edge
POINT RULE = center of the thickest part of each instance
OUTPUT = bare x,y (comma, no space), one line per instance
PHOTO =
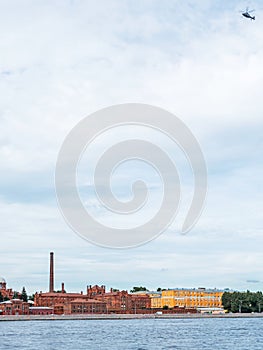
122,317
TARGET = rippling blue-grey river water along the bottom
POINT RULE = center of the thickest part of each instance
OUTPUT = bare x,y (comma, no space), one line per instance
246,333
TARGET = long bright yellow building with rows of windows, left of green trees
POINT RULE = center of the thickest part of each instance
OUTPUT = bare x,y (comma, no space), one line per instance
192,298
